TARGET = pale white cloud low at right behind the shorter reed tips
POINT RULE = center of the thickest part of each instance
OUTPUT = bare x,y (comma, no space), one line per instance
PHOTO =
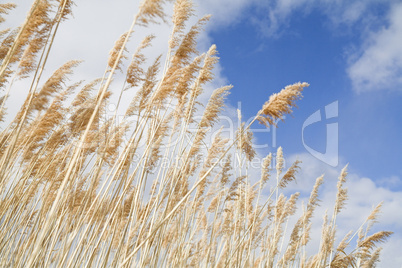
363,194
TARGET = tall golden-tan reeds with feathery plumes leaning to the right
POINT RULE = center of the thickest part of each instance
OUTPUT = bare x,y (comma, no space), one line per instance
78,190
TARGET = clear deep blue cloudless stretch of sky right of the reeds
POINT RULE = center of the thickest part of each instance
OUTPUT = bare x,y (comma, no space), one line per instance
310,47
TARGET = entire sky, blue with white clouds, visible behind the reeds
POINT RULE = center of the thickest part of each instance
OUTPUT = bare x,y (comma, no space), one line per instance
348,51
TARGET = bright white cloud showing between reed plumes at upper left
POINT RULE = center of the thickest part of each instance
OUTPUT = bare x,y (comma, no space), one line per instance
90,35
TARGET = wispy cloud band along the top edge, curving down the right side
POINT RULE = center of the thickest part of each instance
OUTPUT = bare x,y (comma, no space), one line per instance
376,65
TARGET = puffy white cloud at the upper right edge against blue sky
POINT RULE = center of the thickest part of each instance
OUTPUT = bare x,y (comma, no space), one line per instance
380,64
